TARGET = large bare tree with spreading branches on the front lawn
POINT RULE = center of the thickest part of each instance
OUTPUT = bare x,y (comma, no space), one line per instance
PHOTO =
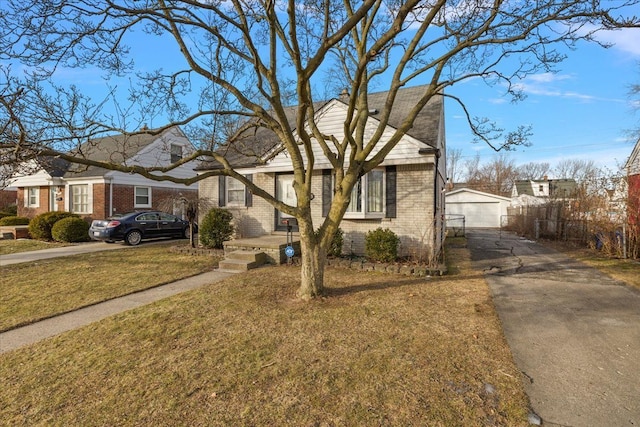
250,59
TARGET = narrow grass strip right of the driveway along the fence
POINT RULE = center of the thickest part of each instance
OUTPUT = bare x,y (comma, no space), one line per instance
624,270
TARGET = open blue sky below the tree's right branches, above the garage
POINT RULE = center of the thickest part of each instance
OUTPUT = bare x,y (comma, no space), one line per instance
582,112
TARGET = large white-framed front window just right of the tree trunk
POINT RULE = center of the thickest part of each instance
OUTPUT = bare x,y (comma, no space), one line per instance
367,196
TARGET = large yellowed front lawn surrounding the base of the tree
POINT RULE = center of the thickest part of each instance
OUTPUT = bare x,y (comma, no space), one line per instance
378,350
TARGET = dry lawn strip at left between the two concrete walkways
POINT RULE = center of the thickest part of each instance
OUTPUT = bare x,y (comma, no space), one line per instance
37,290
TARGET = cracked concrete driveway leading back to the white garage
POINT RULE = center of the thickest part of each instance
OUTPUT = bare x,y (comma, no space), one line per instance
574,332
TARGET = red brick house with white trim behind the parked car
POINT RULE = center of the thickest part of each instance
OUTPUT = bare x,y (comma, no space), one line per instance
94,192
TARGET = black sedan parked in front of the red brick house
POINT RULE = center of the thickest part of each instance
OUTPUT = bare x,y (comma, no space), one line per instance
135,226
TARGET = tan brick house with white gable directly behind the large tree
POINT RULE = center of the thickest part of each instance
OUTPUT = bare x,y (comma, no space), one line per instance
405,193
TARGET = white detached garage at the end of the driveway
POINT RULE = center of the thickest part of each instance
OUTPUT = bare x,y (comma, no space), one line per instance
481,210
